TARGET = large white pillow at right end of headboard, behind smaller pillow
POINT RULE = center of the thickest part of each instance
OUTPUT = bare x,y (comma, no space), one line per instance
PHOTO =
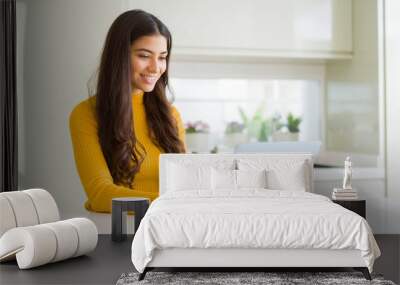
282,174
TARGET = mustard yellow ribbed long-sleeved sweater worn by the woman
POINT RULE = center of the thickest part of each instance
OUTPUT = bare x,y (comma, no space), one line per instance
91,164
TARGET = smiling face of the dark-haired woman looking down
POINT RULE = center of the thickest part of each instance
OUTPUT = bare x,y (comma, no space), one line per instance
148,62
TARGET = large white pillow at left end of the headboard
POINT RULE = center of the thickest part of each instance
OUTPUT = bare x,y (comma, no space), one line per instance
188,177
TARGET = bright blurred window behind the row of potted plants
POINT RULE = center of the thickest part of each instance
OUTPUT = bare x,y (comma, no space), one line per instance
255,108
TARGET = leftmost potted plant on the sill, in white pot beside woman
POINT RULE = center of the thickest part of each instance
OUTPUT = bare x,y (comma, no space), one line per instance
197,136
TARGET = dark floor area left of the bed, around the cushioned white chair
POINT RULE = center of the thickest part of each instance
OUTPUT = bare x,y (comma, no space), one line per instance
102,266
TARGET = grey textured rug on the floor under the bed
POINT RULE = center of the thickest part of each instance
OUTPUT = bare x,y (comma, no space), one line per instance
230,278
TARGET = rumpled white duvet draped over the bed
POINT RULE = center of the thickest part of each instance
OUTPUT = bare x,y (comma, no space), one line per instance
250,219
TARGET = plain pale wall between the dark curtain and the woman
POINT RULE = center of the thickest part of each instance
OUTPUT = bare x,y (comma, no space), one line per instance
62,44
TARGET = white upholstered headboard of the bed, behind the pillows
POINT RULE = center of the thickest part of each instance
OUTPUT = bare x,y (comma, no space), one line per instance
217,159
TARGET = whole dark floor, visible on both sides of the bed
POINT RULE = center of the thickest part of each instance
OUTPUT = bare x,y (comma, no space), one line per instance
110,260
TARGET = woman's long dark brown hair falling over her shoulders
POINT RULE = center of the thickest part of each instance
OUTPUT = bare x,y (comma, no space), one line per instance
124,154
